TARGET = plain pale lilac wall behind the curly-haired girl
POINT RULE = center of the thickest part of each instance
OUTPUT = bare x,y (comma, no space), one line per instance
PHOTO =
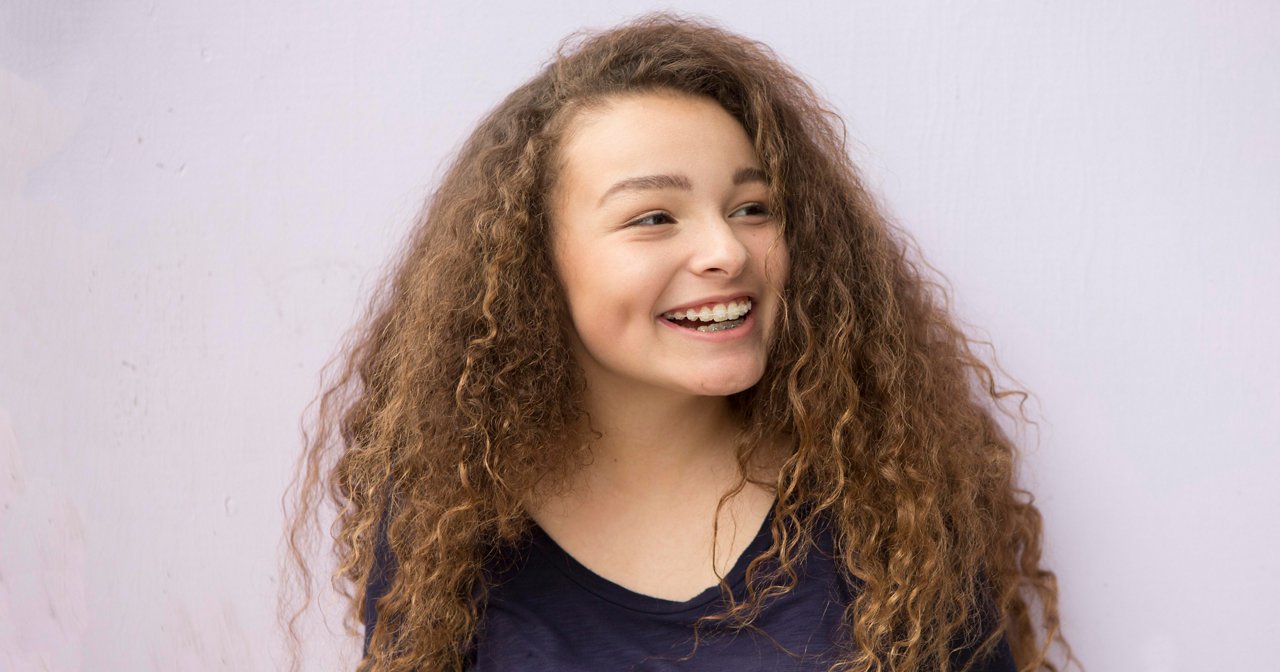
196,199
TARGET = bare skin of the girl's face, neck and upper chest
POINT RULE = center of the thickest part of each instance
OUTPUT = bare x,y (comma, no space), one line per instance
642,513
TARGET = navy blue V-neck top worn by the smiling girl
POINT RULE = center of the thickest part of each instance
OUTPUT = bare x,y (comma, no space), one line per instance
548,612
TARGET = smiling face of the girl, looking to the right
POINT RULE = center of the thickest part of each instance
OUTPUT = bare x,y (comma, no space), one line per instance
666,248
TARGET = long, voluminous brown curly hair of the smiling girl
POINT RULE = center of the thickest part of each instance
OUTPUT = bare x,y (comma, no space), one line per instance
449,406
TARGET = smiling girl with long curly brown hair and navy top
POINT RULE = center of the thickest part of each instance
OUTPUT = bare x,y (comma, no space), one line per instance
656,387
